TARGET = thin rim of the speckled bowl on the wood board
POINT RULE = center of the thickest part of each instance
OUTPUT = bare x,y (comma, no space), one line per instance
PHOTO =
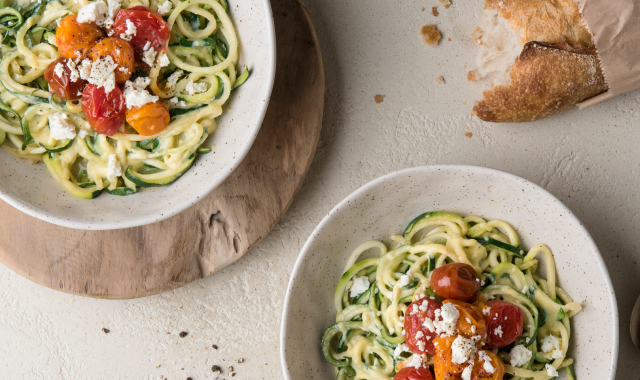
130,222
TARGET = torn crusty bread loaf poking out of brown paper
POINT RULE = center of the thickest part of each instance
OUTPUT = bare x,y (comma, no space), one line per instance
557,68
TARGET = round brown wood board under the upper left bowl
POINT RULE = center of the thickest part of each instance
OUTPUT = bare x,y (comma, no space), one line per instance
220,229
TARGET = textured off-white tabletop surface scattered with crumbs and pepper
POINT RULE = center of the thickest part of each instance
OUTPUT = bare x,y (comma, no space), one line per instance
589,159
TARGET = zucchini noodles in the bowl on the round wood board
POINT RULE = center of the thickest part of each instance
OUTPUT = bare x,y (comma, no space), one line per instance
203,49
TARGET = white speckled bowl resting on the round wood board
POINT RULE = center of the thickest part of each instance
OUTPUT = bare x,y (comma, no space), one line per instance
32,190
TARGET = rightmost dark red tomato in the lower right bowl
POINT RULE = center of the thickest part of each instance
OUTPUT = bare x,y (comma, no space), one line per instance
504,324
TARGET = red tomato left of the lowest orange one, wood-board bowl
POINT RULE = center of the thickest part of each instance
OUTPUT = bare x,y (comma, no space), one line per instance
104,112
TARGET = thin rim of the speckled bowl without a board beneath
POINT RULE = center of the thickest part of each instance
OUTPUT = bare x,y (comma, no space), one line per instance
346,202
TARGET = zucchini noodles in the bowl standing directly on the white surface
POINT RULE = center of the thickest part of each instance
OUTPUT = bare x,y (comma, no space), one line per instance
369,324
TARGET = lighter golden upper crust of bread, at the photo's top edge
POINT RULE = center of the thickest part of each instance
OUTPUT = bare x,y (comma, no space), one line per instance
548,21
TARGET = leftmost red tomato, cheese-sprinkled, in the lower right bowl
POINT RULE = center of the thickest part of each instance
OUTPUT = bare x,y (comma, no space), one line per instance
417,336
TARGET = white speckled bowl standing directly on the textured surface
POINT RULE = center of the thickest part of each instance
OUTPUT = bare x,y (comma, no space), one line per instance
384,206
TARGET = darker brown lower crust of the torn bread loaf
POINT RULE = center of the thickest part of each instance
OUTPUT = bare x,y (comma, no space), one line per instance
546,79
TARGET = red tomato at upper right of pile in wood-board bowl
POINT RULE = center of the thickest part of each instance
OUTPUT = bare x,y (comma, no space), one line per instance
150,27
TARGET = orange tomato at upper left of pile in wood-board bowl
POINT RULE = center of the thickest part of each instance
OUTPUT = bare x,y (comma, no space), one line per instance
74,39
